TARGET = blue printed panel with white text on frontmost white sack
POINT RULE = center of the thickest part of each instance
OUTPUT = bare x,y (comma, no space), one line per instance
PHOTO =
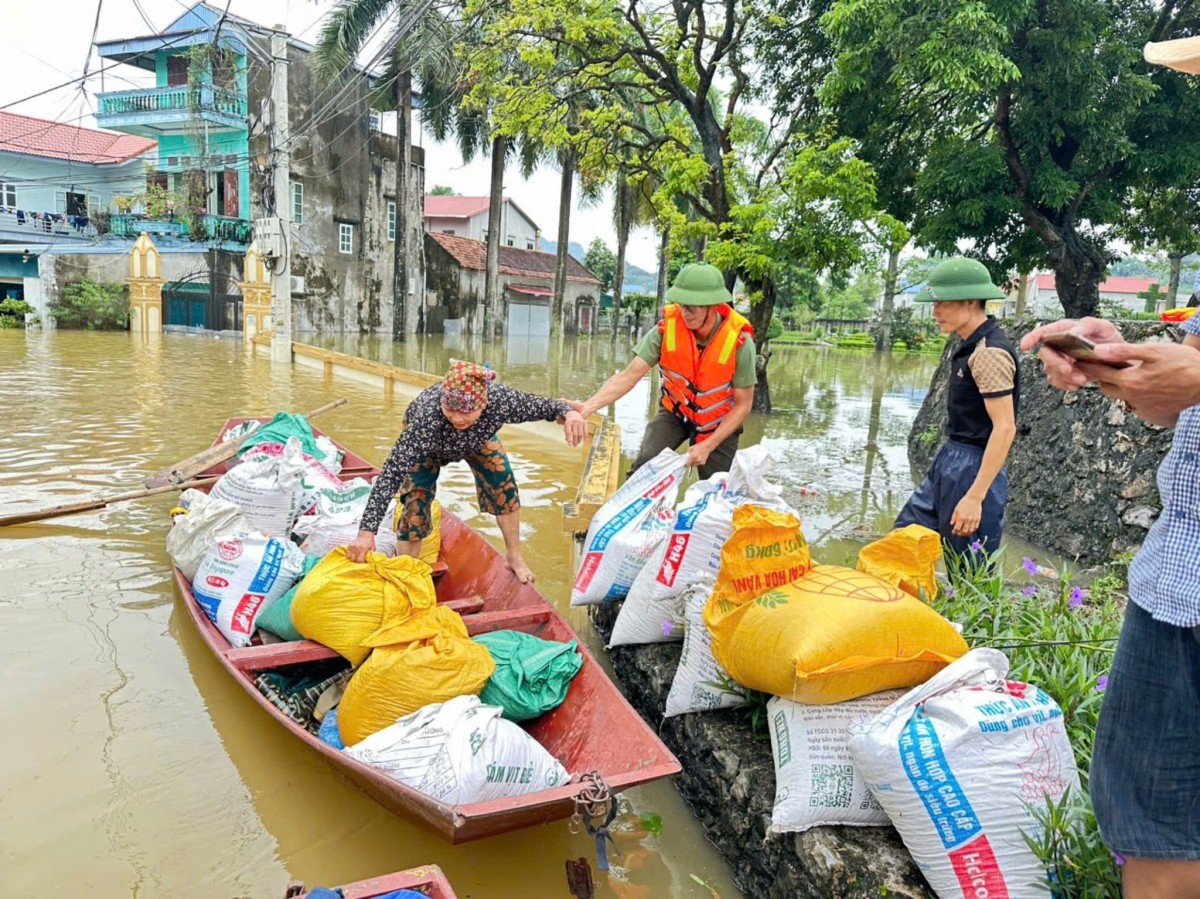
931,775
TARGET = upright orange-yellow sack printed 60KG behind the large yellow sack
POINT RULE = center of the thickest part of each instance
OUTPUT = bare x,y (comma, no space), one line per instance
766,550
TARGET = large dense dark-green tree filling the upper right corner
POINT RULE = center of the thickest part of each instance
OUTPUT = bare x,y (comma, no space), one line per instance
1033,123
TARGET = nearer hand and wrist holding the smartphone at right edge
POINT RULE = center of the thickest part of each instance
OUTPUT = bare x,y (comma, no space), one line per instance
1163,377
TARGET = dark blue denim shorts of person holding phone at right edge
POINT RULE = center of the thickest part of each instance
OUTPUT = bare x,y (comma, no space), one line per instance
1145,777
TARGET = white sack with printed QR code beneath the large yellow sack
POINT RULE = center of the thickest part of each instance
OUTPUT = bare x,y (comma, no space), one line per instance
817,782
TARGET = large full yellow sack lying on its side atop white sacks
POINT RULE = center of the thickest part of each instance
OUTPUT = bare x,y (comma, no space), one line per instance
830,637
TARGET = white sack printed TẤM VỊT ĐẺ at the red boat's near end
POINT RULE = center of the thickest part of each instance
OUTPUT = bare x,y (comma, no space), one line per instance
461,752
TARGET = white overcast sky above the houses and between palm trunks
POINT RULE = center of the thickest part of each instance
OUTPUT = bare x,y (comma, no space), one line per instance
50,44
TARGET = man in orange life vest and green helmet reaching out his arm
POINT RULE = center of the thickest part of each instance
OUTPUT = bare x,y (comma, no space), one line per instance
706,357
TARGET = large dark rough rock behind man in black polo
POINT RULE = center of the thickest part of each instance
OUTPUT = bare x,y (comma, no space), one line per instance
1082,471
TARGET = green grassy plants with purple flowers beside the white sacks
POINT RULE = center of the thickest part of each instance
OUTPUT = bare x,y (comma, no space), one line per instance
1061,638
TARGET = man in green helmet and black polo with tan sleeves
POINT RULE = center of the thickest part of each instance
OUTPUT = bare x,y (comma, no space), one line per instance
963,498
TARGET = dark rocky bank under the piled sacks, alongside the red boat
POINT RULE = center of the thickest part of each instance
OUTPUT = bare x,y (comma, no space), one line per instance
729,781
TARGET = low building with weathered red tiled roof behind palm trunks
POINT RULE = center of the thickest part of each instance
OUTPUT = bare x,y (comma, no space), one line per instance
457,278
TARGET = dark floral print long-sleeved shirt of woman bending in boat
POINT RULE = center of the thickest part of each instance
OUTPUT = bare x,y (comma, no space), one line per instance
428,433
